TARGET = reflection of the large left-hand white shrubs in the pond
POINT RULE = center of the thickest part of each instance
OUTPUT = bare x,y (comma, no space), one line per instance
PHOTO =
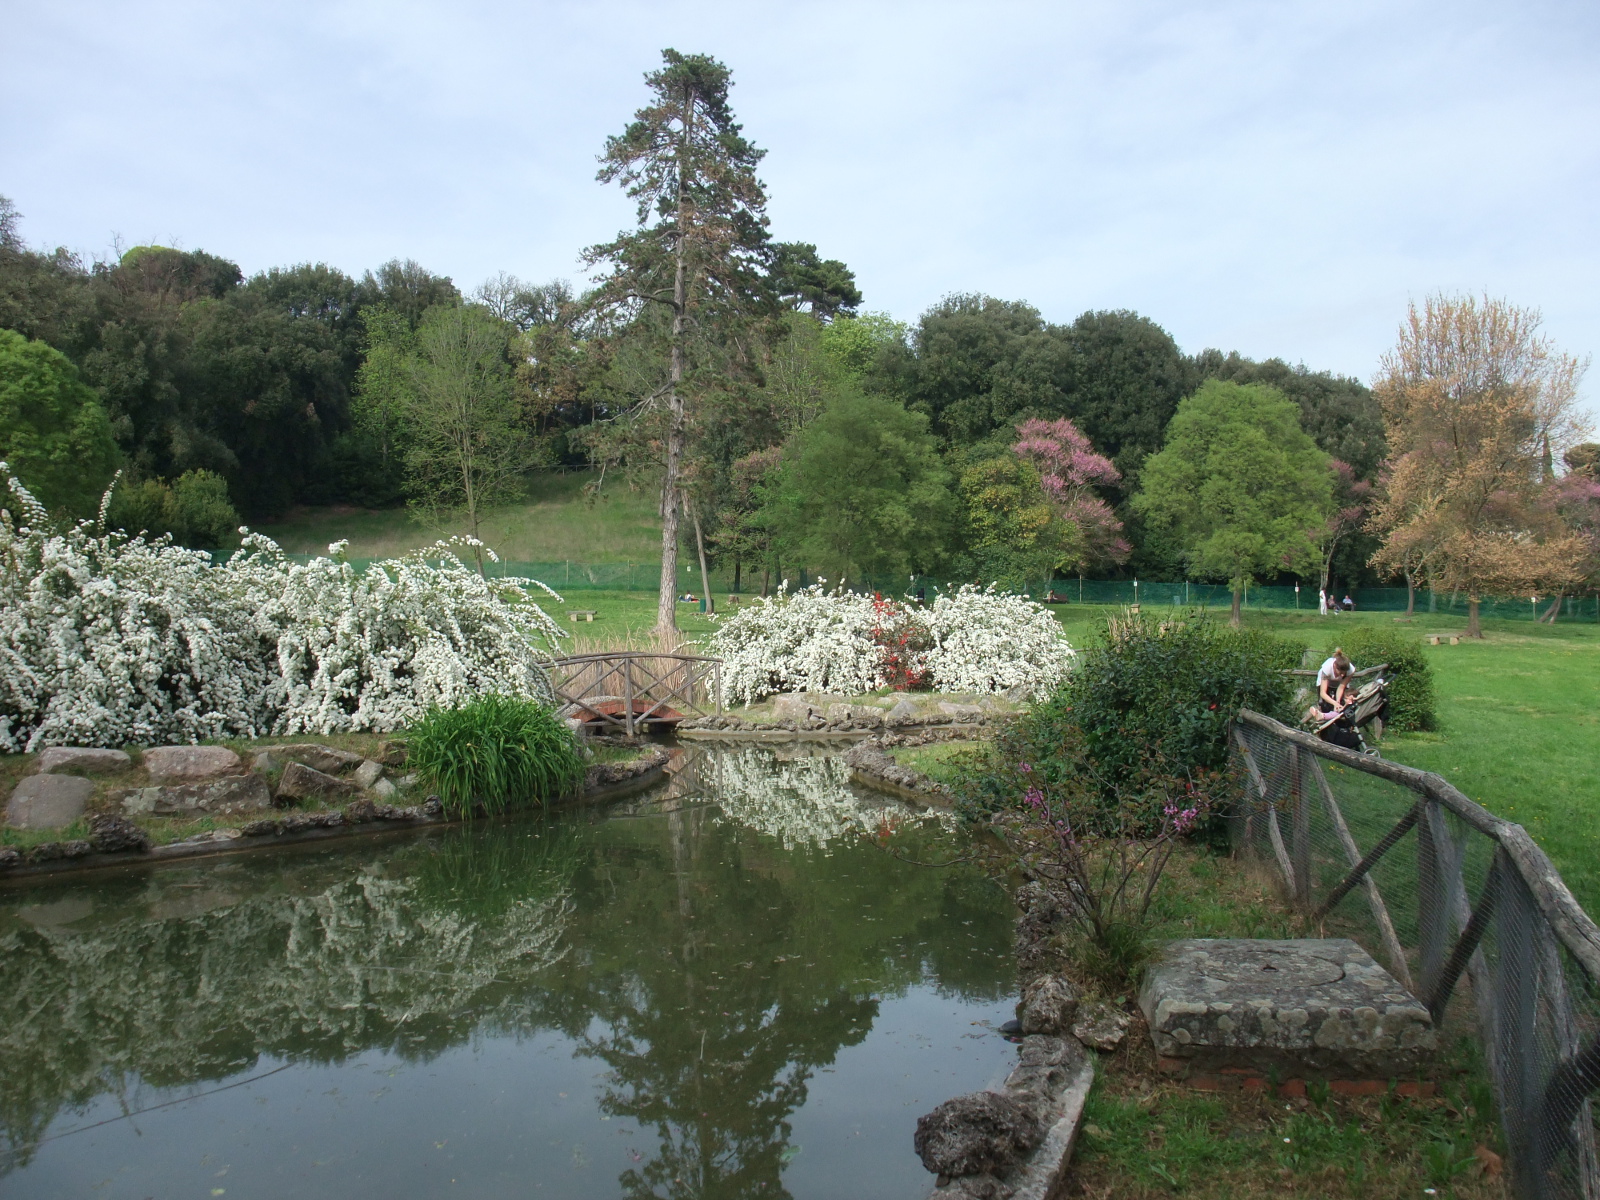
201,983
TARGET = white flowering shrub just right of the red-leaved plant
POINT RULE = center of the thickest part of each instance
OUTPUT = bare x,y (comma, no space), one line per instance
990,641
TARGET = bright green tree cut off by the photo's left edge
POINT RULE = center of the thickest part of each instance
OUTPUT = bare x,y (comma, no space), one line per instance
54,431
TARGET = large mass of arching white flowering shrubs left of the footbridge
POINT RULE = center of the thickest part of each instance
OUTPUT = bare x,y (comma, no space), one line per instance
114,641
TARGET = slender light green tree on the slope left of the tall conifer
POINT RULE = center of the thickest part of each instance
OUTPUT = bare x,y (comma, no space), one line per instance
465,444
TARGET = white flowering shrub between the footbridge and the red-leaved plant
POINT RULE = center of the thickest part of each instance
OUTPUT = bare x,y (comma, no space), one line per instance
807,641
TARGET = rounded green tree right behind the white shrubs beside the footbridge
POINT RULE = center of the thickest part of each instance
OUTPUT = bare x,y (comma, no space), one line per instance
865,490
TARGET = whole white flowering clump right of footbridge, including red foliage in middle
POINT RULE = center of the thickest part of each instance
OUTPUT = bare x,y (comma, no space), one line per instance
844,642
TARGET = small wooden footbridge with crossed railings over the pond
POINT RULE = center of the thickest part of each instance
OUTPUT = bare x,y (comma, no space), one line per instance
636,690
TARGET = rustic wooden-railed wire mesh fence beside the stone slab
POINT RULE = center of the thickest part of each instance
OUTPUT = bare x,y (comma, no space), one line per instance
1463,908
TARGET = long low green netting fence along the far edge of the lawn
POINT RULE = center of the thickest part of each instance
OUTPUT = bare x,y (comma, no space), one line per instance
574,577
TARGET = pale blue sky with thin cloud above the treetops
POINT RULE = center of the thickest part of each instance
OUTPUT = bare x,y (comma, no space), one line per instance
1273,178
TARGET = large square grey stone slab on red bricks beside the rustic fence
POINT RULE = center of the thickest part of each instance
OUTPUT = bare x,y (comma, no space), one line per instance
1314,1006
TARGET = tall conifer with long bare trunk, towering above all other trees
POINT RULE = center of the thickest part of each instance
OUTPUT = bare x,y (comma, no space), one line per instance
700,252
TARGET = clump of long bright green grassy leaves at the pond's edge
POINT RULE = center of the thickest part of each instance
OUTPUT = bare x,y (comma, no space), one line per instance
495,753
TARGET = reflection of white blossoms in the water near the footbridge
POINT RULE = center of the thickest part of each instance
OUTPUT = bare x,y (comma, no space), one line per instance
802,804
